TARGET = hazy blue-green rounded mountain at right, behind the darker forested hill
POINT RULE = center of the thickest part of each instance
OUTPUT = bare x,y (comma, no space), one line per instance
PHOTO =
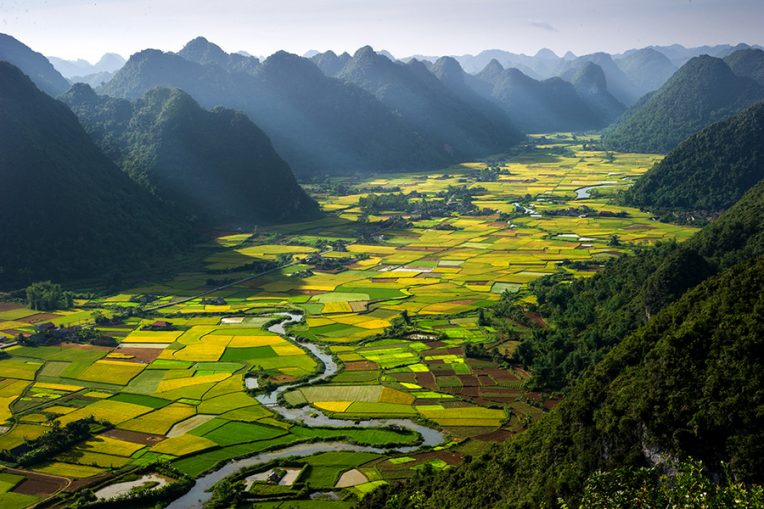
703,91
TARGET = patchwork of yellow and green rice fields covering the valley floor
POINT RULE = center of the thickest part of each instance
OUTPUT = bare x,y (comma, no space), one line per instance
393,295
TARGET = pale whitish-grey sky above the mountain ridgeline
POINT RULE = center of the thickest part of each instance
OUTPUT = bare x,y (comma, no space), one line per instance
88,28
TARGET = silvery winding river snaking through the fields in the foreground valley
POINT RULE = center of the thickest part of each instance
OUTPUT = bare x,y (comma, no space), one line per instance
308,416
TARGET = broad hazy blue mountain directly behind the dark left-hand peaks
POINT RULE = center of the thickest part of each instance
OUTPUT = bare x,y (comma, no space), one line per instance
318,124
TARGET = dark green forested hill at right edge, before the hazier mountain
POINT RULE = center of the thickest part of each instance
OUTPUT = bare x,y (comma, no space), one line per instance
710,170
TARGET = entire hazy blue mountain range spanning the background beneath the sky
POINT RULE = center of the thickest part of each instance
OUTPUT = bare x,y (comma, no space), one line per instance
370,112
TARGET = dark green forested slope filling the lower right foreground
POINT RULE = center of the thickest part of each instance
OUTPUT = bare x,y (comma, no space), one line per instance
679,386
